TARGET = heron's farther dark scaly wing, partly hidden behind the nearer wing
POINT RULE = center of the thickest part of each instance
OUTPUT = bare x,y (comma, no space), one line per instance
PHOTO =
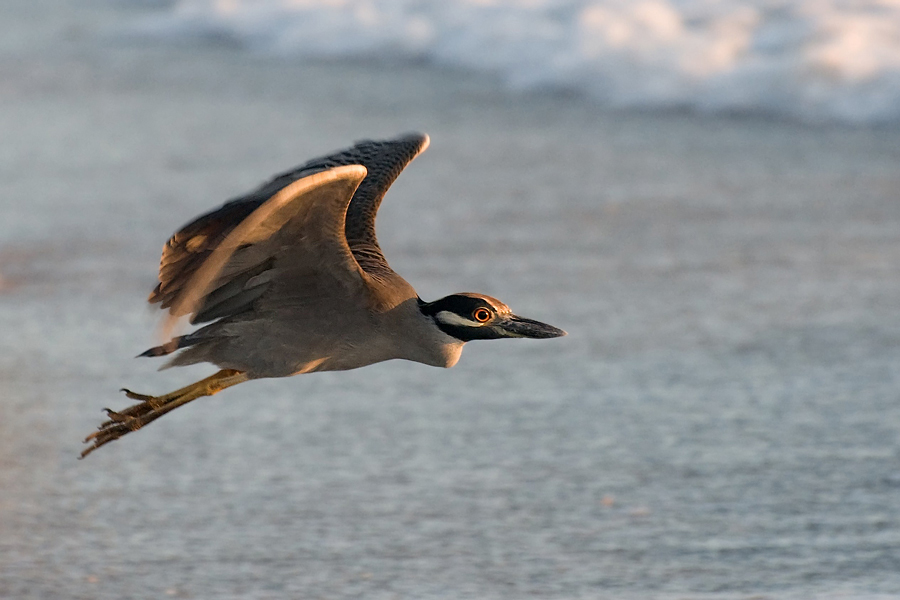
384,160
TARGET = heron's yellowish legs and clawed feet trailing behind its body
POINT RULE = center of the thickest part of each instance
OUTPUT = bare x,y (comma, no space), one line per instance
151,408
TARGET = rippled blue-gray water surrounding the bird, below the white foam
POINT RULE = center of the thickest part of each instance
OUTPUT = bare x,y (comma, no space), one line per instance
722,420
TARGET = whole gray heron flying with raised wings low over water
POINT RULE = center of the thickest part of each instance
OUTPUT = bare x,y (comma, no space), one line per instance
292,279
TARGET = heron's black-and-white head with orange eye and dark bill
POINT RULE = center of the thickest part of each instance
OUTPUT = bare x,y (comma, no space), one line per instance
468,317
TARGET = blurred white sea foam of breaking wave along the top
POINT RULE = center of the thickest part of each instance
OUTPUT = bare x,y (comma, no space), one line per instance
816,60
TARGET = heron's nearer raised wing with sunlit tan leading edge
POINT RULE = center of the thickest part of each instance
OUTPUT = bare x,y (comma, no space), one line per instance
300,227
